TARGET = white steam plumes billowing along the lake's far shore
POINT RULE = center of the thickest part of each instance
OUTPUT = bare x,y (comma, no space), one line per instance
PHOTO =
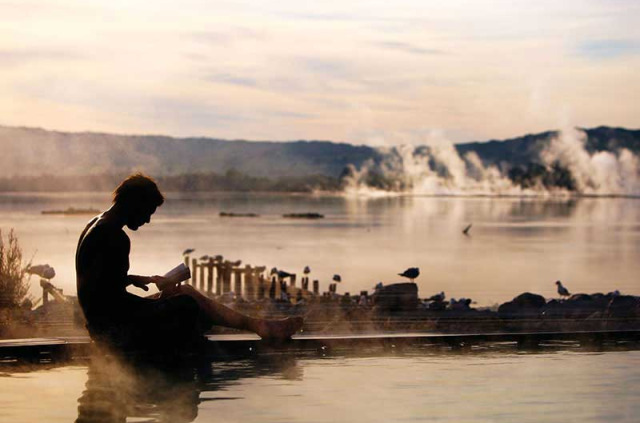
438,169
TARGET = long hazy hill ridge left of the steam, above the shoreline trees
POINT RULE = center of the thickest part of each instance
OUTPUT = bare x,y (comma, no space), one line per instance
31,152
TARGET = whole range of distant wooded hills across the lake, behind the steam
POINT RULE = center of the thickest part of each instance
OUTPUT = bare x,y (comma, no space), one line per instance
39,159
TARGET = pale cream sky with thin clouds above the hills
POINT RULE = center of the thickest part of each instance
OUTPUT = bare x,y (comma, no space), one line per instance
365,72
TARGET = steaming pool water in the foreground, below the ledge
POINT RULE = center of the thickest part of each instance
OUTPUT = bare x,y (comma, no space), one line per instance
479,386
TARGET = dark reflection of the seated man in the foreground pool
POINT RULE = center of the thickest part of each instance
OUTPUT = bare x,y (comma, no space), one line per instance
118,388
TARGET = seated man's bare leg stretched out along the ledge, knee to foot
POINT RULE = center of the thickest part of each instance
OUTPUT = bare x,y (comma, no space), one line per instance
225,316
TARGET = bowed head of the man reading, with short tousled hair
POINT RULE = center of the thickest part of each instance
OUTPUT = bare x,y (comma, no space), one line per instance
138,197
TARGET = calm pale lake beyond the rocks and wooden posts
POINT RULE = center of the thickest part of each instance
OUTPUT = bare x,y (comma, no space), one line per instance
515,244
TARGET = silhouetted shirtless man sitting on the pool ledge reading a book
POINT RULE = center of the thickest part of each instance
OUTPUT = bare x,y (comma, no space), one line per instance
102,266
